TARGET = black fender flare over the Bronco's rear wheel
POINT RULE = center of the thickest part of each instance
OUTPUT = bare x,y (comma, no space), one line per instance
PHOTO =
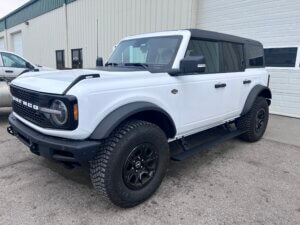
258,90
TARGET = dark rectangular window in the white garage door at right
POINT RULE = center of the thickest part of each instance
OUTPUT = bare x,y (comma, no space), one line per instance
280,57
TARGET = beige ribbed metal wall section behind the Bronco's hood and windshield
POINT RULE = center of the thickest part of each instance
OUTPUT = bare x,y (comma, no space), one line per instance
120,18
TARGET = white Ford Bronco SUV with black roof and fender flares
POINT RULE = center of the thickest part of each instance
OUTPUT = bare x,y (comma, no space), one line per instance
155,89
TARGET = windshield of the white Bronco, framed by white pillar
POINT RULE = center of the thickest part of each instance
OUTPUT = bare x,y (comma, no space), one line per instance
154,52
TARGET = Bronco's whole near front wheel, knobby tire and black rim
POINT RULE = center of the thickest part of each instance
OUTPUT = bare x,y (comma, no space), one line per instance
131,163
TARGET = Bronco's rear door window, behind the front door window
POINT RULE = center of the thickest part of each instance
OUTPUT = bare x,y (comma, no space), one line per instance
233,57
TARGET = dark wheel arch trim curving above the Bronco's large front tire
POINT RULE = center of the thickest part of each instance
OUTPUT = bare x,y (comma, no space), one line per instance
138,110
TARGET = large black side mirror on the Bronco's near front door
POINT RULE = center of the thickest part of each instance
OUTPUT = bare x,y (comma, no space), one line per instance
192,64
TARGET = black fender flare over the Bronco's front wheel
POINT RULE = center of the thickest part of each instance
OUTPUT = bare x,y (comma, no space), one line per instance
119,115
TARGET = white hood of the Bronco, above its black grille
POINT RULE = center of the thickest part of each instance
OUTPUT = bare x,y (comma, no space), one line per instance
53,82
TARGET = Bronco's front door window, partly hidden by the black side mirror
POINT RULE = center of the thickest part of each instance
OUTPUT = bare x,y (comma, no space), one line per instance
210,50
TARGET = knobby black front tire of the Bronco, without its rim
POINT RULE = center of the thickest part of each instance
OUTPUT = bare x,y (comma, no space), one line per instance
106,170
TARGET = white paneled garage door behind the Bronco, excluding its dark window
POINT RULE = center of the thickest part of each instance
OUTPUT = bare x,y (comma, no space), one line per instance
275,23
